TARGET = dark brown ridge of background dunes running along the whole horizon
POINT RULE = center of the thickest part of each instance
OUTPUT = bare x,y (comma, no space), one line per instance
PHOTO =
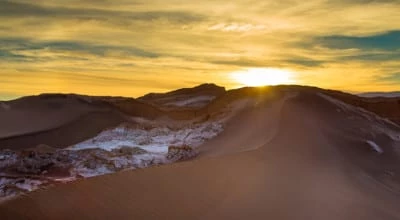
48,118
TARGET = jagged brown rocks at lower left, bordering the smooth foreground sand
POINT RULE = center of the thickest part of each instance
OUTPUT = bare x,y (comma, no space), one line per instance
28,170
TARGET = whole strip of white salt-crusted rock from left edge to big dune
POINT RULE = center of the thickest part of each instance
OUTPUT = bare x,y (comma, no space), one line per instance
121,148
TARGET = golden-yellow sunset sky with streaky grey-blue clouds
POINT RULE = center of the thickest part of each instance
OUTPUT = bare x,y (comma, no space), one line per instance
132,47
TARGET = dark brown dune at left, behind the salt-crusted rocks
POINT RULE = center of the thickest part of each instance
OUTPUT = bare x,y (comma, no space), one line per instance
61,120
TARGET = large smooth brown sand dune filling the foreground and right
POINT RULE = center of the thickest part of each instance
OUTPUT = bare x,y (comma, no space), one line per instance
308,168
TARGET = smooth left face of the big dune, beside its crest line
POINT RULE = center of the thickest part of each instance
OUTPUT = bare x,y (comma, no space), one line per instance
261,114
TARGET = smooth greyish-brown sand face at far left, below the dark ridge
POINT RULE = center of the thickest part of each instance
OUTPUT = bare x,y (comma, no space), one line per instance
39,113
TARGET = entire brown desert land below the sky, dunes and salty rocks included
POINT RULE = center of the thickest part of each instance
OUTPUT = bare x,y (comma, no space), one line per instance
277,152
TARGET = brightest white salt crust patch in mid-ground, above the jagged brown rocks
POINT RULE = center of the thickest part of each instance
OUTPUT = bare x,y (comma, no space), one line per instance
156,140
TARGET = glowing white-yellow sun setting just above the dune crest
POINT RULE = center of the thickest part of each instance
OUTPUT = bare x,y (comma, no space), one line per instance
263,76
